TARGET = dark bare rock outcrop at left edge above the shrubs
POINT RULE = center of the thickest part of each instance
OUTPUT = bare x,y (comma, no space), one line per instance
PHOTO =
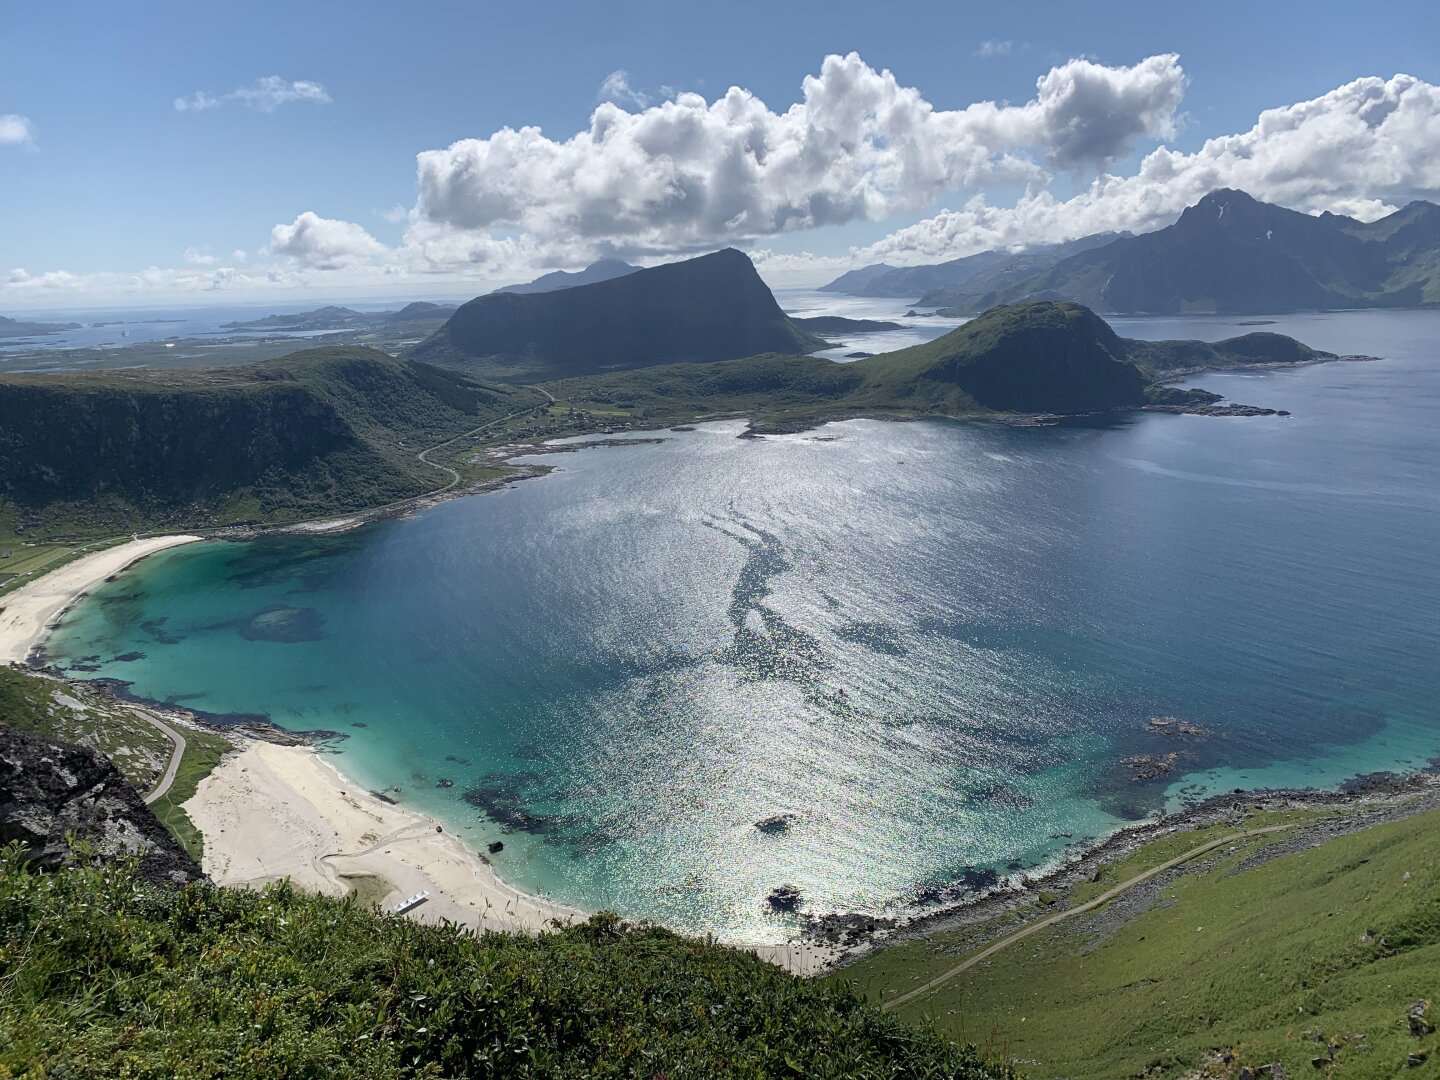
53,794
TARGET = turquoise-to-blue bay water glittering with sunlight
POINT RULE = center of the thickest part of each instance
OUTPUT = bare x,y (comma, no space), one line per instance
932,644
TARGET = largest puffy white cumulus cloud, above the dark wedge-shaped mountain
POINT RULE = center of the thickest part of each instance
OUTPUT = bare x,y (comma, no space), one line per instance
859,146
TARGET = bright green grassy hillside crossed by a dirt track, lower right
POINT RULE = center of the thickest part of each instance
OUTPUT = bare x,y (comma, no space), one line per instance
1264,951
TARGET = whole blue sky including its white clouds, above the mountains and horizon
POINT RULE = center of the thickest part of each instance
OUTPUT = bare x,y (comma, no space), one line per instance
178,153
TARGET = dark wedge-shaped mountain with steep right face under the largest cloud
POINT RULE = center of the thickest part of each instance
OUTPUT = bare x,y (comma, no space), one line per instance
714,307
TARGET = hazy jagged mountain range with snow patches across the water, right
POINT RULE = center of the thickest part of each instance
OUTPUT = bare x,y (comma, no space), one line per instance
1229,254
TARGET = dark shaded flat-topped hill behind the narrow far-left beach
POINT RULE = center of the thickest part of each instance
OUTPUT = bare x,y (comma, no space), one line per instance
310,434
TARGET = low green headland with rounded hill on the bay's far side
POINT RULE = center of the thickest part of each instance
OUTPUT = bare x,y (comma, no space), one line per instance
1039,358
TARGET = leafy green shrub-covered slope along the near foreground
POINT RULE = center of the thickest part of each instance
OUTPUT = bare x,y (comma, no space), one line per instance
102,977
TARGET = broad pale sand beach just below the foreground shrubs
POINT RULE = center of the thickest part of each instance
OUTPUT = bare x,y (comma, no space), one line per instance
283,811
